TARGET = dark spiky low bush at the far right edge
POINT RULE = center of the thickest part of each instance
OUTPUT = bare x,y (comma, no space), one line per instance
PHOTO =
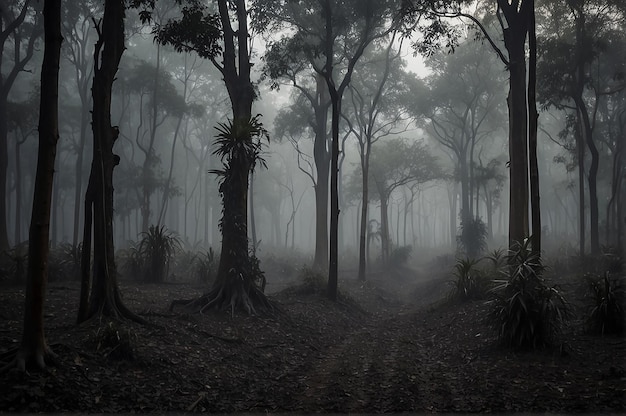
606,302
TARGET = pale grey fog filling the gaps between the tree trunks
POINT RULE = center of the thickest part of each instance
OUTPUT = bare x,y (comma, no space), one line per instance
167,105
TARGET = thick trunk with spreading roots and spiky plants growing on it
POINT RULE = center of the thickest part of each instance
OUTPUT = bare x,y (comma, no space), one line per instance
235,286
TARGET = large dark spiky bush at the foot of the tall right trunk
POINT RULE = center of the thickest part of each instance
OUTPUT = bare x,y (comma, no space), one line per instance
525,312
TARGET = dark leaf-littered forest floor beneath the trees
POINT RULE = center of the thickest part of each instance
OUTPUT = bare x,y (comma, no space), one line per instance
384,347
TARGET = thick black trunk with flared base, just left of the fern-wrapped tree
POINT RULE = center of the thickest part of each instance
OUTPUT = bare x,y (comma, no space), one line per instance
104,297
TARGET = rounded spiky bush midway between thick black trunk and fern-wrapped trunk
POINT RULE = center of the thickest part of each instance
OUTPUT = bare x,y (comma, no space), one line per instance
156,249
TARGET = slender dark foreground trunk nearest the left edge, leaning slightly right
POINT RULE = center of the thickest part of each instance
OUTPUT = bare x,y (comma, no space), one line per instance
33,349
